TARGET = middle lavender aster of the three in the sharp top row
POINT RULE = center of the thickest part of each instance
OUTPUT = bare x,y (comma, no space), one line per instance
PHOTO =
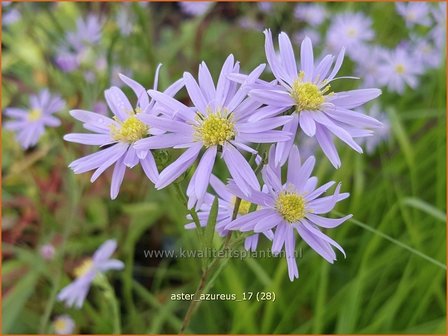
218,121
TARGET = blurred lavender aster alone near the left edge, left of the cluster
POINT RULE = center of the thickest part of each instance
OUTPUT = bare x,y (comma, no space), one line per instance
29,124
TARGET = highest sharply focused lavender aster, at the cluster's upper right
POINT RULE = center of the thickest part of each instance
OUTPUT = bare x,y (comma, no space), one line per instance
317,111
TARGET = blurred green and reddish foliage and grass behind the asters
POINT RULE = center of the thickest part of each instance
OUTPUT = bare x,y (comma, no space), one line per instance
393,279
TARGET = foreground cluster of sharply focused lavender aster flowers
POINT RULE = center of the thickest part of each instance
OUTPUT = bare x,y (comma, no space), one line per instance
227,121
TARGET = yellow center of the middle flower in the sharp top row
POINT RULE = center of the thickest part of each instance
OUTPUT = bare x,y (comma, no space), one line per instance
215,129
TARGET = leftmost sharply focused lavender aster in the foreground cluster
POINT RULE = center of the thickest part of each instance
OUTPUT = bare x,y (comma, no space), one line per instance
118,135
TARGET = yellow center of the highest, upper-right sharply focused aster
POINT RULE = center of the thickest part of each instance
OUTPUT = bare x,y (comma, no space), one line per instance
307,95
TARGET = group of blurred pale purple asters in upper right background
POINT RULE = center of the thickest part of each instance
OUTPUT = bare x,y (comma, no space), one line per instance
392,69
